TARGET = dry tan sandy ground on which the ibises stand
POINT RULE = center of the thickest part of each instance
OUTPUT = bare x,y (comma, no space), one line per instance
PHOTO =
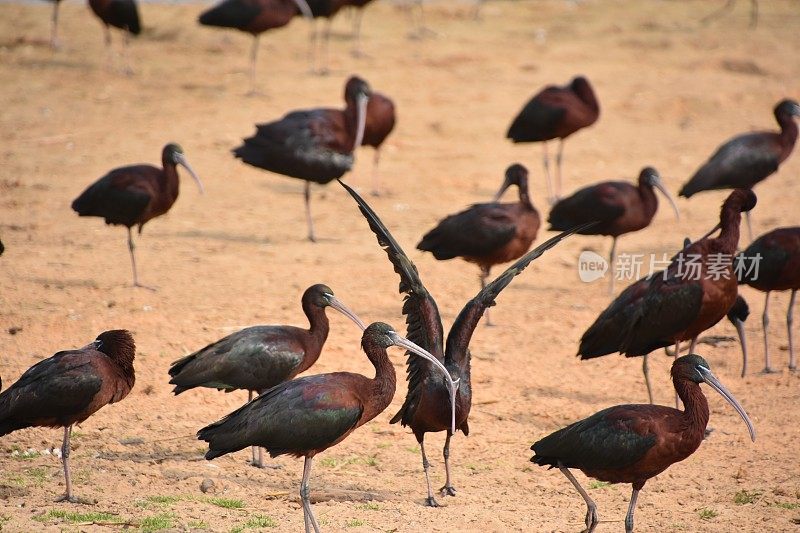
671,91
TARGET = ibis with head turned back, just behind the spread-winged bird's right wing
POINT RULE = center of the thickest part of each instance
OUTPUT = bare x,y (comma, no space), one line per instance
488,234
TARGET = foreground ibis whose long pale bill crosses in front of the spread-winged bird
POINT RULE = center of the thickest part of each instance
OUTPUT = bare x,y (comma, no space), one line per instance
308,415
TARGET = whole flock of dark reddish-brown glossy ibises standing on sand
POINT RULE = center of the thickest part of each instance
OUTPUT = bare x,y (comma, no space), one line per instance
307,415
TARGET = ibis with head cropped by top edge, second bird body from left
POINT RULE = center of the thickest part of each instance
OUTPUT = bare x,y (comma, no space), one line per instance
254,17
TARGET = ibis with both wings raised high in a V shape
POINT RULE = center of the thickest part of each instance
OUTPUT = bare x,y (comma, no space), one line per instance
425,408
